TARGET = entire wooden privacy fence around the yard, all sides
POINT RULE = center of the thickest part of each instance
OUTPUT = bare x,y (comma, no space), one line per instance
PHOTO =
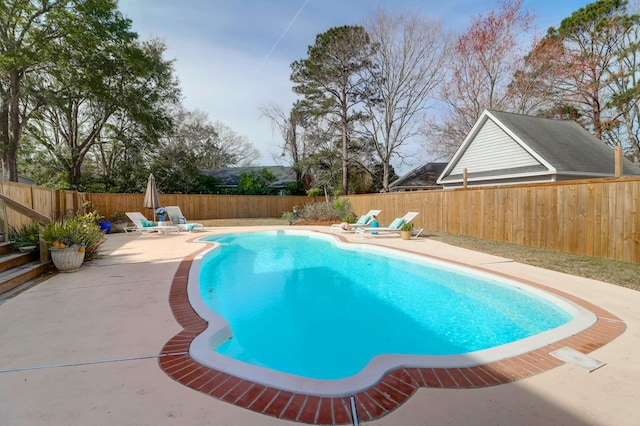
599,217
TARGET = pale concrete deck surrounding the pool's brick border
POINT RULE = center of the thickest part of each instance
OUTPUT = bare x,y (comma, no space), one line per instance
83,348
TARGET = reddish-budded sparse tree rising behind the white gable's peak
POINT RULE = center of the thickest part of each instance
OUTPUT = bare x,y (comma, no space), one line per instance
483,61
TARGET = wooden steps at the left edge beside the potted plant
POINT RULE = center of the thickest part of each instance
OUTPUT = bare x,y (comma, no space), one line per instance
17,269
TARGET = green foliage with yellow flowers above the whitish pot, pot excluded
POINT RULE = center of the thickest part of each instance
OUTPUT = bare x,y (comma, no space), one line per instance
78,230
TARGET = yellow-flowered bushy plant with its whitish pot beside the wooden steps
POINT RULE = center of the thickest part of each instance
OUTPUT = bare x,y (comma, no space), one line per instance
73,240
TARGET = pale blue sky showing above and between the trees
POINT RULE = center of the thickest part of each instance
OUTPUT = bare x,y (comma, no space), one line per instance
233,56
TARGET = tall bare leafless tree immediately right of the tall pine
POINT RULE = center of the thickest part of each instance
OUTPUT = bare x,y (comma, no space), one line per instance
407,65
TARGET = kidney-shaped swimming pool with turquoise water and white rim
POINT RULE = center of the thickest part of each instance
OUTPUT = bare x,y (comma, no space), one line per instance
383,321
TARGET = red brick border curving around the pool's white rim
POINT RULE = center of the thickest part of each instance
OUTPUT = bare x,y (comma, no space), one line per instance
394,389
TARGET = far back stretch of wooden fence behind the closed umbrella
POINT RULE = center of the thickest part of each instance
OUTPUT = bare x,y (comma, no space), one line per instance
200,207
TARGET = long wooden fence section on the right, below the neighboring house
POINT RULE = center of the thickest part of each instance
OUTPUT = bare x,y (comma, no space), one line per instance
598,218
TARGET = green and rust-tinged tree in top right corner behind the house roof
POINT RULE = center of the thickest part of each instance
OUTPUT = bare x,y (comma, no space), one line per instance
586,70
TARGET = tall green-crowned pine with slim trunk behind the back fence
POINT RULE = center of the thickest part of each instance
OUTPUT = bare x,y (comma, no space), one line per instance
330,80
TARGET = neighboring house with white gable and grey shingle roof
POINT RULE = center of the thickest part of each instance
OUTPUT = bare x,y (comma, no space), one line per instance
513,148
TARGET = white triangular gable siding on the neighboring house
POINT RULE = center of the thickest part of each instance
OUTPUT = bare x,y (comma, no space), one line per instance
493,149
